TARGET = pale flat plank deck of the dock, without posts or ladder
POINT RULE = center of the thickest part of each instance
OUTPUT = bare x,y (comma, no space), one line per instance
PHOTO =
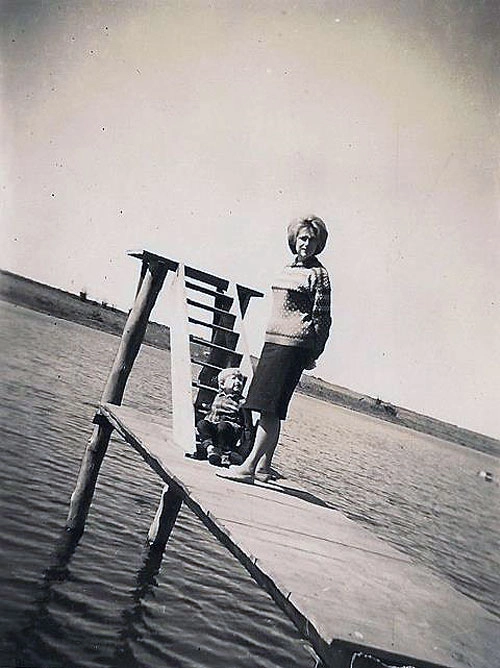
344,588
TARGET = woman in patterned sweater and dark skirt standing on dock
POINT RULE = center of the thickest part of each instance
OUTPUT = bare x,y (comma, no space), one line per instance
295,337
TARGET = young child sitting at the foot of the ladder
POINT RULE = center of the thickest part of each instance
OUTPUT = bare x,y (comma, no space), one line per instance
221,429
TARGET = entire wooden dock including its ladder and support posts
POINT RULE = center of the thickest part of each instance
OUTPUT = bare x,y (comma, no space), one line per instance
360,602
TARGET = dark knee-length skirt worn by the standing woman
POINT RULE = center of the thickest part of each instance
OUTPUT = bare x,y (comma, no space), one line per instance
275,378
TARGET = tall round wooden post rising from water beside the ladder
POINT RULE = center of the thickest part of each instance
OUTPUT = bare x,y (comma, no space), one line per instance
131,340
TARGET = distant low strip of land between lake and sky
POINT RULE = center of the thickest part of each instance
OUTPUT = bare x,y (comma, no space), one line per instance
36,296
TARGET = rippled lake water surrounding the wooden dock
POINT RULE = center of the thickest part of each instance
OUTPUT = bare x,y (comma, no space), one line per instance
201,610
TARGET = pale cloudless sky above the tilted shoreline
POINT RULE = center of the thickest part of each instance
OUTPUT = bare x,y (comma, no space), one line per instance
199,130
